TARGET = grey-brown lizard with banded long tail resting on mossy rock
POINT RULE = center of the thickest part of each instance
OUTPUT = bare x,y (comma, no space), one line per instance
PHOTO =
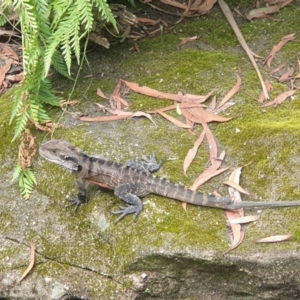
133,180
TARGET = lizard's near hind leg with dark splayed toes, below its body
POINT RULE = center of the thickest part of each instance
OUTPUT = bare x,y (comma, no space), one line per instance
134,205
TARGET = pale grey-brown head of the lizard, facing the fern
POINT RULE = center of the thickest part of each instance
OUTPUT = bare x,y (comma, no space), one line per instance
61,153
